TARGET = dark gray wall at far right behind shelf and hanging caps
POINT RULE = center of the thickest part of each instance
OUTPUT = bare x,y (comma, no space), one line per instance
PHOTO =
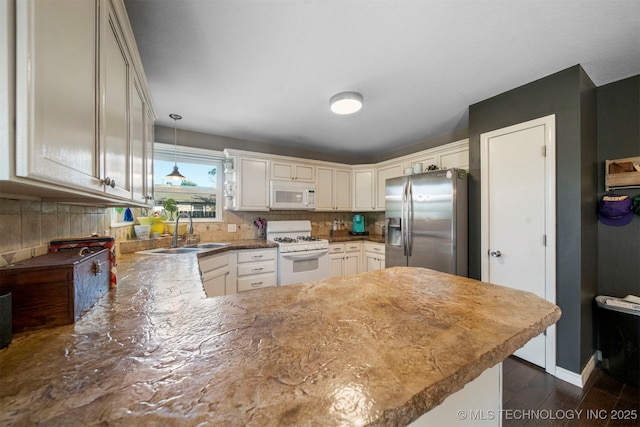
618,137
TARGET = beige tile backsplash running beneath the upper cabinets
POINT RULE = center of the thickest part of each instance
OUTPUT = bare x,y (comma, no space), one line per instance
27,227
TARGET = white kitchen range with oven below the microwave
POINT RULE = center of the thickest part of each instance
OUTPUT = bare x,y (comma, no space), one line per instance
301,257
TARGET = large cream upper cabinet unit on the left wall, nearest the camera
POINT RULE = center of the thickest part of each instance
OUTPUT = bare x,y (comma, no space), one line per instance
82,108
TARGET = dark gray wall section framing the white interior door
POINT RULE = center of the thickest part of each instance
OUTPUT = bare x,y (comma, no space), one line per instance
571,96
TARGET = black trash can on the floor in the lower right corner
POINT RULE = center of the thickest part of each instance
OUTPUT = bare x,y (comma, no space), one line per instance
619,340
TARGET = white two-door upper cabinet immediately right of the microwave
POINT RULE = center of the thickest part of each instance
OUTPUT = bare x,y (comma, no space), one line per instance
333,189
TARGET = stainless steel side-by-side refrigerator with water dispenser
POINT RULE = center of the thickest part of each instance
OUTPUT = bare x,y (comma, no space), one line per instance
426,217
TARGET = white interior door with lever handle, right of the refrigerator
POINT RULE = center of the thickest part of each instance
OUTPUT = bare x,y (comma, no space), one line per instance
518,218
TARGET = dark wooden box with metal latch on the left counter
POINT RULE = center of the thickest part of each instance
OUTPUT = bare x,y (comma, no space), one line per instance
55,289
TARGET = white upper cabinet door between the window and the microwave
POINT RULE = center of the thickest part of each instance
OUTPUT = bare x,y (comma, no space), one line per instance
253,184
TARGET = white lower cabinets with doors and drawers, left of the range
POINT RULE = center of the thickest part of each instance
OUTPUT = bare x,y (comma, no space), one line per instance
238,271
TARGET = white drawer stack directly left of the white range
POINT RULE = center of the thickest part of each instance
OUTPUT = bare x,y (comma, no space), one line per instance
256,269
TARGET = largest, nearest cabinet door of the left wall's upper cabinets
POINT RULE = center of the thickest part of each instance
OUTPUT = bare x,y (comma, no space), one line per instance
56,106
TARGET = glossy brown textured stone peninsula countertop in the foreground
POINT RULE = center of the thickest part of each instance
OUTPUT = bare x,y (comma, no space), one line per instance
378,348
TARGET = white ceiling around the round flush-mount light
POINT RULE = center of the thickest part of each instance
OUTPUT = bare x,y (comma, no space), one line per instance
265,70
